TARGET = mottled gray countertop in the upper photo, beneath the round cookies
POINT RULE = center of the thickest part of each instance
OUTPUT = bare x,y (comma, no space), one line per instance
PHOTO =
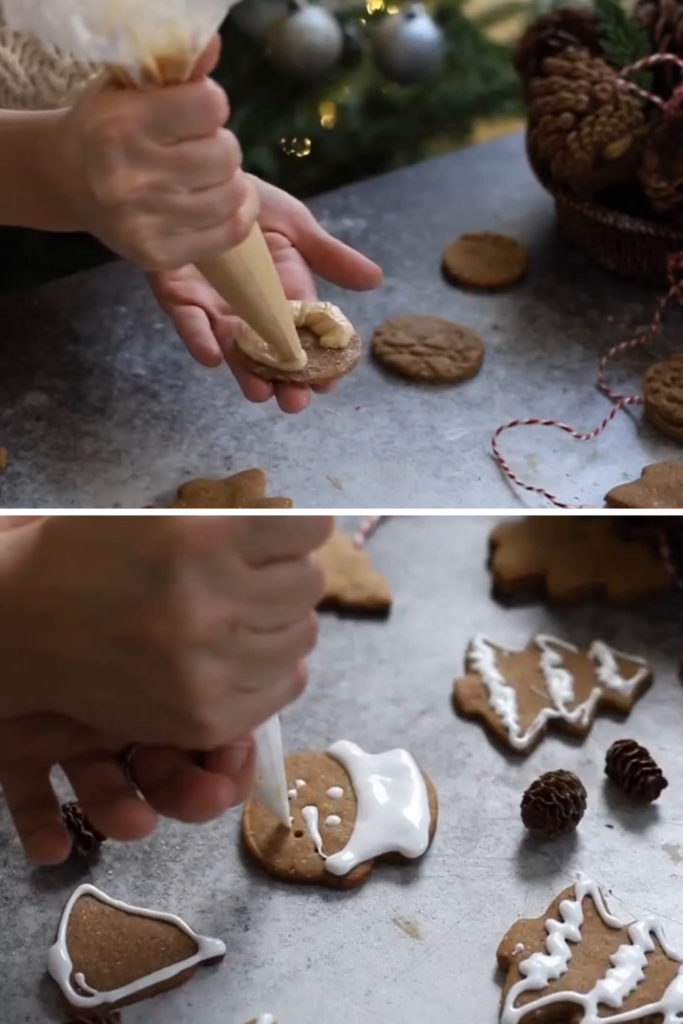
101,406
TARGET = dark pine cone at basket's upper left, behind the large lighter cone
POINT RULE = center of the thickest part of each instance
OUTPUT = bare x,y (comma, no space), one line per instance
552,33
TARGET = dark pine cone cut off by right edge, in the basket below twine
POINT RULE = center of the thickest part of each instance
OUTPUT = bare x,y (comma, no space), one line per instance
662,170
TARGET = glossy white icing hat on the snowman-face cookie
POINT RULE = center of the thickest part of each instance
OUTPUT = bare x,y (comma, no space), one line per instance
394,814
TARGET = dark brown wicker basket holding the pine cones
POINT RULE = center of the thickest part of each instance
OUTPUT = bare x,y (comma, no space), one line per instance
633,247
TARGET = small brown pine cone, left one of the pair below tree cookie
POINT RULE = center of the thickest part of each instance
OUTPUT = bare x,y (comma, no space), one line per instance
554,804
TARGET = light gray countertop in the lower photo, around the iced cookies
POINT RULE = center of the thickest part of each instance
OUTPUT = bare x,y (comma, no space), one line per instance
318,956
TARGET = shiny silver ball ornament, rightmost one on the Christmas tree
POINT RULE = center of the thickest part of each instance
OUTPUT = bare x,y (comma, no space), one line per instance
409,48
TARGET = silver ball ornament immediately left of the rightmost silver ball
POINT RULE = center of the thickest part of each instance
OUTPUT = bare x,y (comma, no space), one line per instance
307,44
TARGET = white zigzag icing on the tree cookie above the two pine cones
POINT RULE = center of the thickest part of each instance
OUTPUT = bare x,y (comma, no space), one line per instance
483,659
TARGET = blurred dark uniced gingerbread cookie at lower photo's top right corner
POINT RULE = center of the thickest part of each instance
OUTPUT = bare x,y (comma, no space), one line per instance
569,561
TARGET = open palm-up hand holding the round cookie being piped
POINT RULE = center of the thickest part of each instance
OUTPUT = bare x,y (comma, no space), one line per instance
301,249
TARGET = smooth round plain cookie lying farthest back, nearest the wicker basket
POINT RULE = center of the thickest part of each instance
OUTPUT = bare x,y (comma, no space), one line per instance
486,262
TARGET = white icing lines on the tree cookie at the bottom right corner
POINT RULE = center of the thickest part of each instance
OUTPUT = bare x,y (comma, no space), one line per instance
628,970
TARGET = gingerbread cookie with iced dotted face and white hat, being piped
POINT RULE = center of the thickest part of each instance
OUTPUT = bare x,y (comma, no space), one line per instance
350,809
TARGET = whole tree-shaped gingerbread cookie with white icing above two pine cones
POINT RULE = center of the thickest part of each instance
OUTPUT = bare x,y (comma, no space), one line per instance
519,695
